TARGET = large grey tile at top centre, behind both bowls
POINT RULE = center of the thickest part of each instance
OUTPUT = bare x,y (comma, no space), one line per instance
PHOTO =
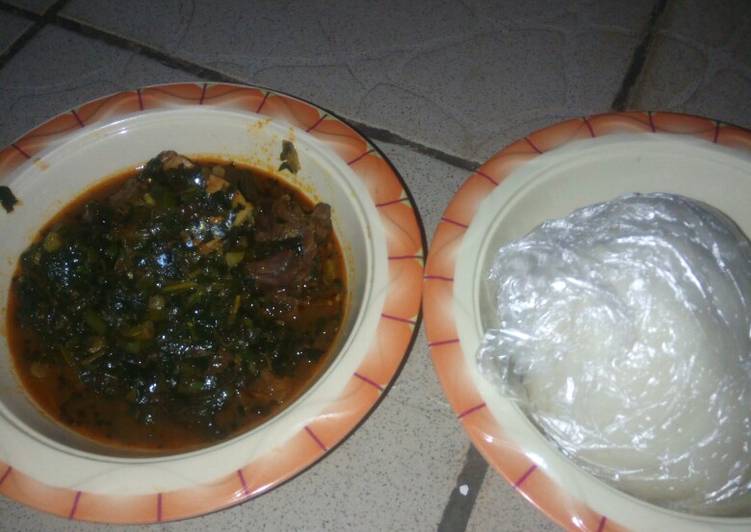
465,77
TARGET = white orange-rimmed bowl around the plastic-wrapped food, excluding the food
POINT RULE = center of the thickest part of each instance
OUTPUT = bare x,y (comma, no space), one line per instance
582,162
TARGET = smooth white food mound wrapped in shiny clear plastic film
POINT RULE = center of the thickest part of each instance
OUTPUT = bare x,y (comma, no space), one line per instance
624,333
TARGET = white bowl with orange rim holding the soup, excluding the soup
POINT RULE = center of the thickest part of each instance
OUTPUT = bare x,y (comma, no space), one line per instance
53,468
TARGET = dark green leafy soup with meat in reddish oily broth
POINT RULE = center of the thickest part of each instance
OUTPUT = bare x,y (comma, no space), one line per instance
177,305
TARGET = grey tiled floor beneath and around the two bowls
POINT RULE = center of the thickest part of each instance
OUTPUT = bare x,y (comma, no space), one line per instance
439,86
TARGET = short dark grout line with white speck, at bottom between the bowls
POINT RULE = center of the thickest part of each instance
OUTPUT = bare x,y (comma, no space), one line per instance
459,507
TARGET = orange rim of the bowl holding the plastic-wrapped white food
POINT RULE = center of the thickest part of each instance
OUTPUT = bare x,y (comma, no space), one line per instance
524,470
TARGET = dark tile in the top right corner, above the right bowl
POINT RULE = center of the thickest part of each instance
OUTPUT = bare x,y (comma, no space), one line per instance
700,62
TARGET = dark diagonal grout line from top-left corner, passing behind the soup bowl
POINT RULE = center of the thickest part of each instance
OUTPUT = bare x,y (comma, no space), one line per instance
51,16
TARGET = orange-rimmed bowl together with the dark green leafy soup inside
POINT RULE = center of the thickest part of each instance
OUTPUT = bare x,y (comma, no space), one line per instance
193,277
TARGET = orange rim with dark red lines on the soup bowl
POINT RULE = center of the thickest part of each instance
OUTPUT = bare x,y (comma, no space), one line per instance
398,315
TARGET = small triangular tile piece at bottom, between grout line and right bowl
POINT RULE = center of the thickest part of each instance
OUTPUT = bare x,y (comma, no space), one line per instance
499,507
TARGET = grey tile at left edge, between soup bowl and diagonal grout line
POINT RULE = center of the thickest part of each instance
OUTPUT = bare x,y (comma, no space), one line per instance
58,70
